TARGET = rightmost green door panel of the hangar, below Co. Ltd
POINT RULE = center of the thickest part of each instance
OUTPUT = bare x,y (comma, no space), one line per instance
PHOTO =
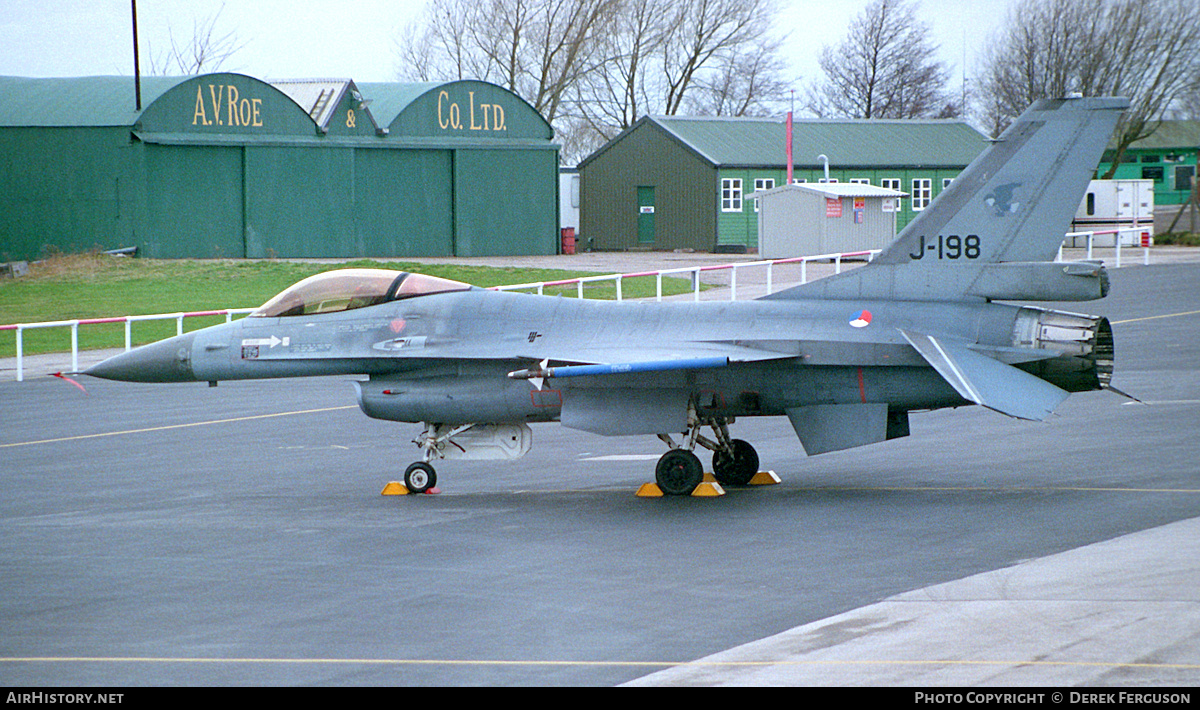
506,202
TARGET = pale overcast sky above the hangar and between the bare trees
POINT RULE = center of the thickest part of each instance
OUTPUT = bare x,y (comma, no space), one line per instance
307,39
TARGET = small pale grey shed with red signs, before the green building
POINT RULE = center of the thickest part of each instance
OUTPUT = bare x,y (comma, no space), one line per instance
826,218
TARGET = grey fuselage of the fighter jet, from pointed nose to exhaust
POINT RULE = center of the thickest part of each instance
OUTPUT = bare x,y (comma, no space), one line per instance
446,357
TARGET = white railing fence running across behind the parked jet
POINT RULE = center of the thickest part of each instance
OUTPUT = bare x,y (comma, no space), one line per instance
539,288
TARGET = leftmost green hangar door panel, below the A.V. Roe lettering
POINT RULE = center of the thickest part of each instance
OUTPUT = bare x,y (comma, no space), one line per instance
194,202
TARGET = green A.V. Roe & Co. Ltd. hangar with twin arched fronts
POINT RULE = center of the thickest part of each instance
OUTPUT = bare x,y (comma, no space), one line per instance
230,166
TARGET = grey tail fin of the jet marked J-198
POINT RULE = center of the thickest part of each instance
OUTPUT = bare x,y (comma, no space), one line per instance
1012,206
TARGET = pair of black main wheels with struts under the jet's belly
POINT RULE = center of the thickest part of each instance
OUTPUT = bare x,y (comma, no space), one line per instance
680,472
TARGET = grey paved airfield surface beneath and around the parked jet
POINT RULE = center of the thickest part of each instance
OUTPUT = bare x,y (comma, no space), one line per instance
185,535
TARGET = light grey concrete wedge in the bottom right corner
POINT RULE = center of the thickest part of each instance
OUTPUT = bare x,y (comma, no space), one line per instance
1121,613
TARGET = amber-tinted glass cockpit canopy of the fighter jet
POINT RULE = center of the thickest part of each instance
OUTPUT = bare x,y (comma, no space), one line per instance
353,288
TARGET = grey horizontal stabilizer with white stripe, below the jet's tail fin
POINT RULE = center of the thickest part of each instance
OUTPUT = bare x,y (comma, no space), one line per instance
988,382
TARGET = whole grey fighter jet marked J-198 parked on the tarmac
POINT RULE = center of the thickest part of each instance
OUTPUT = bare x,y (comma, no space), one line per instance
926,326
